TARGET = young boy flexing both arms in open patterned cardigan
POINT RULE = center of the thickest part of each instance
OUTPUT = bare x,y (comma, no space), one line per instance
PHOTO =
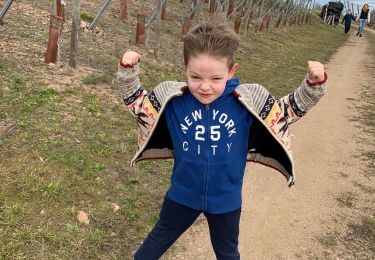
211,125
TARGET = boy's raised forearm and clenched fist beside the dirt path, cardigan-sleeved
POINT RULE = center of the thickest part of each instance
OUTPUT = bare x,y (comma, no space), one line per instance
313,87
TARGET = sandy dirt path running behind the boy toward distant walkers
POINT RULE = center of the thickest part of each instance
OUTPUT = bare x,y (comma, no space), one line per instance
282,223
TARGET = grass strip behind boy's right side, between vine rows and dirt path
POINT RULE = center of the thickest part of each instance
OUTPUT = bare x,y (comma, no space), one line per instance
278,60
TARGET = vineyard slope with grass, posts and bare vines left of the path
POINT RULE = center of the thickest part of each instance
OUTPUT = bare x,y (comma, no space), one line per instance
65,139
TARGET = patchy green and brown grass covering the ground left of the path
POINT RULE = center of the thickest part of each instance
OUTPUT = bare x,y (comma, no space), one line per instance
68,149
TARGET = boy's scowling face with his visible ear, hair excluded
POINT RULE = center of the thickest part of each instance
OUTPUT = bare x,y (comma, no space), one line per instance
207,77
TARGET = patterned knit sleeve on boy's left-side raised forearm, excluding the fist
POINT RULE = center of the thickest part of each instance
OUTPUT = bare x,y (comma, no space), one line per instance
131,90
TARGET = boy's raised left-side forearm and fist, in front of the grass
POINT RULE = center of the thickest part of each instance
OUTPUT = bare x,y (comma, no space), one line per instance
130,87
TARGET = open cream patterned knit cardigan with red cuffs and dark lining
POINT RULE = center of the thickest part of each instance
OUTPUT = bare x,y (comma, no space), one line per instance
269,141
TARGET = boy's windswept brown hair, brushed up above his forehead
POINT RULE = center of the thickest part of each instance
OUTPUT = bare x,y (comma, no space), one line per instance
211,39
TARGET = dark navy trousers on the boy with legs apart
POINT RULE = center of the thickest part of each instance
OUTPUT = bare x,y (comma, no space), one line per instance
175,219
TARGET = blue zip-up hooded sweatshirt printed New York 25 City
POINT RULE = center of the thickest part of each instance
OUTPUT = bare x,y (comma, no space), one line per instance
210,148
